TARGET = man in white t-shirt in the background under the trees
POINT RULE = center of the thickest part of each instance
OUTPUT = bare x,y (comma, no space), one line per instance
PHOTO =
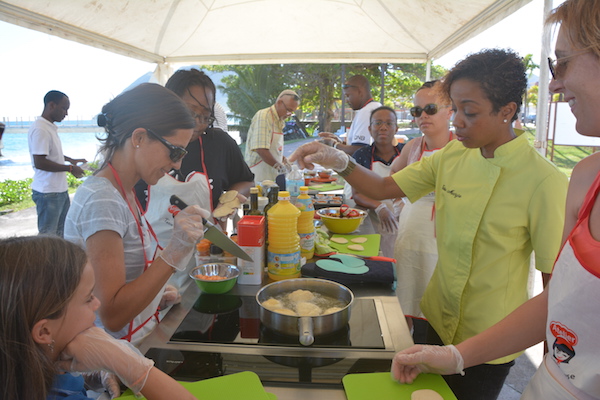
357,91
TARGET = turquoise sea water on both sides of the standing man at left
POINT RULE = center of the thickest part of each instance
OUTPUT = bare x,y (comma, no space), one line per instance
15,163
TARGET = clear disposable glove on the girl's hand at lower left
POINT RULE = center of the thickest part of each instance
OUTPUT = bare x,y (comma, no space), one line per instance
94,349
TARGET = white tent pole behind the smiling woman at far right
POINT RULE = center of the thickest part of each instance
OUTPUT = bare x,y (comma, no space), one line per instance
541,143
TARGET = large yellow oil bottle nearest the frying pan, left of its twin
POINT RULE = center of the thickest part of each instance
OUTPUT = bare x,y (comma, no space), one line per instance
283,256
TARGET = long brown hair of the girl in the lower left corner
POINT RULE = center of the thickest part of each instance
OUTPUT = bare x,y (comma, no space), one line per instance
38,277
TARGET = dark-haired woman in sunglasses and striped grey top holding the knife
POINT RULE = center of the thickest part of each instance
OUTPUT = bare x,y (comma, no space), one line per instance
146,130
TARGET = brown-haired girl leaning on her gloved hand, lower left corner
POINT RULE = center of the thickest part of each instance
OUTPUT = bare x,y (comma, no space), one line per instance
47,312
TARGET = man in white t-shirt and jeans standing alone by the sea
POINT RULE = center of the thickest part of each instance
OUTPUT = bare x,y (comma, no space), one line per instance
49,188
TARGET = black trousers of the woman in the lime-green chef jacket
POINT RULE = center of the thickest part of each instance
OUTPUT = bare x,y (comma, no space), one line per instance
481,382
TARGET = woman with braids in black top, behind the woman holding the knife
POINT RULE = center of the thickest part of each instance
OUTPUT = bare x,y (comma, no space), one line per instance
213,164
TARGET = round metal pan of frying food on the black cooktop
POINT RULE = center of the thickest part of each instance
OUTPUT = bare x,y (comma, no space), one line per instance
305,327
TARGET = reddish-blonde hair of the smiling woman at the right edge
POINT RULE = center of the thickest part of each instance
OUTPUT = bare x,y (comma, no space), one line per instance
580,20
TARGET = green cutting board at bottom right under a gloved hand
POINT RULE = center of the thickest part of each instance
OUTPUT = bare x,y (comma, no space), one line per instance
381,386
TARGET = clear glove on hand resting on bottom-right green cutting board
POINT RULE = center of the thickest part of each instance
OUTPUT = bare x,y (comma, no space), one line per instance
443,360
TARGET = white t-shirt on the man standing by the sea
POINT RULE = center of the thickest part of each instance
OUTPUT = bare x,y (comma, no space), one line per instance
43,140
